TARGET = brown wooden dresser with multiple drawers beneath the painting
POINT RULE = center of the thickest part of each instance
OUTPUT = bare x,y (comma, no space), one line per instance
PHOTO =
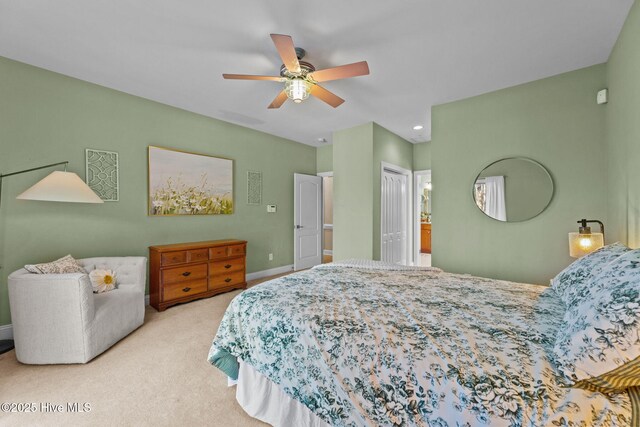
186,271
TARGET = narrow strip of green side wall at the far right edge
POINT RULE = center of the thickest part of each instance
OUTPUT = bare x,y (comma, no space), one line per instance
623,134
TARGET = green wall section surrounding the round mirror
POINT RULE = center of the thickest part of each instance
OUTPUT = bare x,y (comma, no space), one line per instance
554,121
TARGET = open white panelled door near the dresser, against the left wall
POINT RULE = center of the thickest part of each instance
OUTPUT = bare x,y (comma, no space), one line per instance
307,216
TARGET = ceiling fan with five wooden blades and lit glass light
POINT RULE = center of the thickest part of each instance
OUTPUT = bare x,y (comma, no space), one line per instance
300,78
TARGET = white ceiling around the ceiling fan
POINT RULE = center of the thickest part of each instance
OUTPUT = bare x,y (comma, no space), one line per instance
420,52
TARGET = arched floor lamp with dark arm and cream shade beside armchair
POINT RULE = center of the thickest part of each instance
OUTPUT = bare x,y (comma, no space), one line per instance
58,186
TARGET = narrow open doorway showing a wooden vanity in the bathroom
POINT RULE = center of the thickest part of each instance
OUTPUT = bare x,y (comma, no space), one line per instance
422,218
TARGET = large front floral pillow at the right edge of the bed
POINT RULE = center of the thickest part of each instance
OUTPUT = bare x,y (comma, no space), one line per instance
598,347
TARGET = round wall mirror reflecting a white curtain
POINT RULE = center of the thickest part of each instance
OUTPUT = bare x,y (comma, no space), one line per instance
513,189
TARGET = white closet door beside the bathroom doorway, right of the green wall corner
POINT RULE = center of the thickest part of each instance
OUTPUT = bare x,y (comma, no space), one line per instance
394,217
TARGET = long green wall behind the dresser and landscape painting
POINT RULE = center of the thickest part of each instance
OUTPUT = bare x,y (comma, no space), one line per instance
46,117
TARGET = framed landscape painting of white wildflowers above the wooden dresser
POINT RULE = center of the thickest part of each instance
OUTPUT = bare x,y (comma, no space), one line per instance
182,183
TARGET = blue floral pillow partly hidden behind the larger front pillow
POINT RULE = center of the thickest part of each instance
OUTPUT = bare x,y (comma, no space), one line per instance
570,283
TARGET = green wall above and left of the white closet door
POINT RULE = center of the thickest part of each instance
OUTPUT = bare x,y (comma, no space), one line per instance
389,148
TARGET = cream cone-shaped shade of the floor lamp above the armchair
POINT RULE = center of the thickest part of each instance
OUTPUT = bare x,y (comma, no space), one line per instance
61,187
